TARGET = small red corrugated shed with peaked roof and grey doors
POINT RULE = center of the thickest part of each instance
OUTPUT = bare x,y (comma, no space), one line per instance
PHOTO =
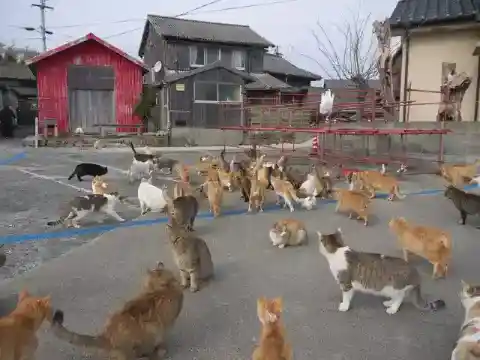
87,82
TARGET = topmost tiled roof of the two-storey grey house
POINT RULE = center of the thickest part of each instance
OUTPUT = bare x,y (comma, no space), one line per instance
206,31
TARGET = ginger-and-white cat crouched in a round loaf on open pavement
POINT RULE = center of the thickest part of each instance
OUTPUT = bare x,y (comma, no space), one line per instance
288,232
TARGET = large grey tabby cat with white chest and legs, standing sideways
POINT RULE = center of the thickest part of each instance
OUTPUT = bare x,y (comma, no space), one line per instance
375,274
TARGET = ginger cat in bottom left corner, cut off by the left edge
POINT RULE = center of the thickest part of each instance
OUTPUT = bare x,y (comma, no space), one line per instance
18,340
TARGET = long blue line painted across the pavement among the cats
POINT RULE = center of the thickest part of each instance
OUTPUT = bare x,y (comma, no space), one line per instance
11,239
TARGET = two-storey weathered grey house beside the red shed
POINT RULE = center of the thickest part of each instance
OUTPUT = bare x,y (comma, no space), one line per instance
204,71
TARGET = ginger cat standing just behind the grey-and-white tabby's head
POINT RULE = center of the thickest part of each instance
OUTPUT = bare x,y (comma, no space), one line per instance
353,202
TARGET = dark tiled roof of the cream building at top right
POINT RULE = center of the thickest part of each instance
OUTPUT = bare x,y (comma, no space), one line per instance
414,13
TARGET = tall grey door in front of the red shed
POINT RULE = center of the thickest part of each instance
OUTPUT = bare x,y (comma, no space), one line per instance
91,97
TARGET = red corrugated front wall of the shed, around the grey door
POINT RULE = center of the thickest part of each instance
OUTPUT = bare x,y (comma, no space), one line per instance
53,90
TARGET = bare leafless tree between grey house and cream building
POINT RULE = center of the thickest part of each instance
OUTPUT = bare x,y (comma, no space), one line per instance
352,57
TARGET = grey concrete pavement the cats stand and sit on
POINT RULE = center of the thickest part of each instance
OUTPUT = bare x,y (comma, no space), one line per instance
220,322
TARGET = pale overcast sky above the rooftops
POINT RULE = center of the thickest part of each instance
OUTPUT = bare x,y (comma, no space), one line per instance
288,24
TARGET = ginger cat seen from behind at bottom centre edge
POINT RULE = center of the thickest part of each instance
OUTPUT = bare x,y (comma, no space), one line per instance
272,344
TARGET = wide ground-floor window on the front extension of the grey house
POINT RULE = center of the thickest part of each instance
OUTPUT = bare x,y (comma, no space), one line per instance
217,92
